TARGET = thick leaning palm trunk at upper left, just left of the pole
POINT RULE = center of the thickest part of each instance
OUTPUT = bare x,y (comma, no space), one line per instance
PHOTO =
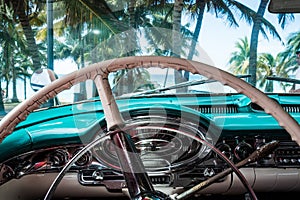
20,10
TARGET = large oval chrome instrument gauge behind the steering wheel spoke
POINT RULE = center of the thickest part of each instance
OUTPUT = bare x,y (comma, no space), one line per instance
159,144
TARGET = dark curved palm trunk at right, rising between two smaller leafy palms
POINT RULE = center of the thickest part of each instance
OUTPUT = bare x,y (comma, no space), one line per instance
254,40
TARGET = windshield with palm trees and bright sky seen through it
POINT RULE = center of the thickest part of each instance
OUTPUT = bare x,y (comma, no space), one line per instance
240,37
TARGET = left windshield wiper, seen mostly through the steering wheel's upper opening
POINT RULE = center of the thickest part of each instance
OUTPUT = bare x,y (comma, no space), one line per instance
185,84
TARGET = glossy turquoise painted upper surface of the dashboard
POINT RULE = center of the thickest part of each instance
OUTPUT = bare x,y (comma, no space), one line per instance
78,123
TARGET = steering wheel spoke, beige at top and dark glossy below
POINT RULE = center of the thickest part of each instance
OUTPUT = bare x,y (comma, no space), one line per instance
131,164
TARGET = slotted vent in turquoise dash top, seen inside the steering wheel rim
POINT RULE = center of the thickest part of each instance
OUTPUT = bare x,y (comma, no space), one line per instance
216,109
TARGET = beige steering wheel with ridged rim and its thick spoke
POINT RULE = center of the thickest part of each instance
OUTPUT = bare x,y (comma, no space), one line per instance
139,185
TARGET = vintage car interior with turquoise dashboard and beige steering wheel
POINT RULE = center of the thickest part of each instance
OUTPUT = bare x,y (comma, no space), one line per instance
214,136
